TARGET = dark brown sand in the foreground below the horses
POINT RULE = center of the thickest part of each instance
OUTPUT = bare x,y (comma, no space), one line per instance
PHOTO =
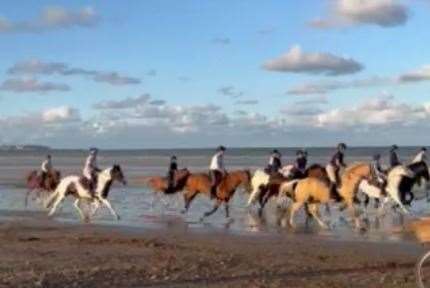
40,252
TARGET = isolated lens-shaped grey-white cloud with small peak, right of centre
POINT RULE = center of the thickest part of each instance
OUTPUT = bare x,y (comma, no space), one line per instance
297,61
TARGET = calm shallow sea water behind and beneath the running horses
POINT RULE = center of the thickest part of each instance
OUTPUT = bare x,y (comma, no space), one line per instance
139,207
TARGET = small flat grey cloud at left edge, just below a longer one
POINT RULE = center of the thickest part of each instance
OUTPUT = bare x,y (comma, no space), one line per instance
31,86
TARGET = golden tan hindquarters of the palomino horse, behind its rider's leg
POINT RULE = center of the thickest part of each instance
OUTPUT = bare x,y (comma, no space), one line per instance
309,192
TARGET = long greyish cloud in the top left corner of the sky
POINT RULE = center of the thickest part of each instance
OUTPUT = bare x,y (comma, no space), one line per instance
52,17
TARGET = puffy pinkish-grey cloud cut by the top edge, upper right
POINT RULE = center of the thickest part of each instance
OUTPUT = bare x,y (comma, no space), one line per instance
383,13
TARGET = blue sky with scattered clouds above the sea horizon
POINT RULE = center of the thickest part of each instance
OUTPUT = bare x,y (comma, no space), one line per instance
194,73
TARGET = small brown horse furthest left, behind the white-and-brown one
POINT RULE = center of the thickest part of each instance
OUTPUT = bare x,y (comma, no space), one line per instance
34,183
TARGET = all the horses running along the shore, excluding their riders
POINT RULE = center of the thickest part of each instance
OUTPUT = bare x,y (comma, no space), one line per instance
310,189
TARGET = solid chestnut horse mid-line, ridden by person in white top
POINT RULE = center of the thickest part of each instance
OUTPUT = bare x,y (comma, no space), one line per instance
200,183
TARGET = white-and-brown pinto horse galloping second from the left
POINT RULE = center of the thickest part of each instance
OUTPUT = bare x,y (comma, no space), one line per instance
73,185
